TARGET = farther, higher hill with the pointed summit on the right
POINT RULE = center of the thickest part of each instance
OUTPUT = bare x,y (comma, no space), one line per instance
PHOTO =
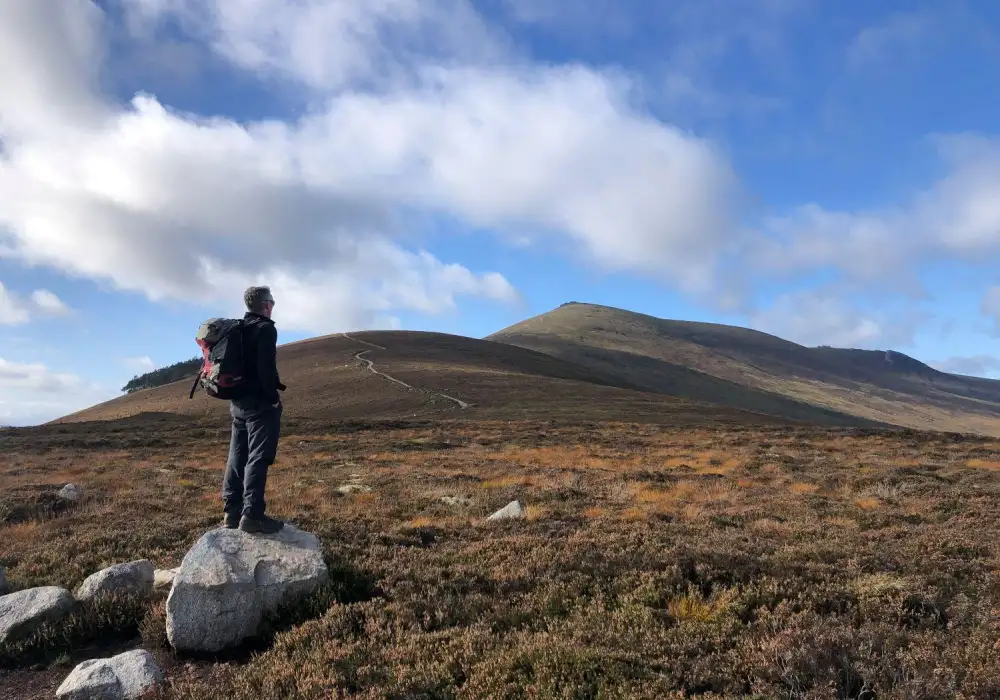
661,355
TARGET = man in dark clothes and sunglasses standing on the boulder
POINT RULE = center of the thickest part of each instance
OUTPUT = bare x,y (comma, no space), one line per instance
256,421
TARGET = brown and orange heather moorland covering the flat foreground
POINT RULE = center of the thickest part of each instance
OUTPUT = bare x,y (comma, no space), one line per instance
692,560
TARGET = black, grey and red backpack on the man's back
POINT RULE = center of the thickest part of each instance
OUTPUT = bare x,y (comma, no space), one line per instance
222,374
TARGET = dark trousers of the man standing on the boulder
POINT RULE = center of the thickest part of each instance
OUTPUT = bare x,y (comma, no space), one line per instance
252,449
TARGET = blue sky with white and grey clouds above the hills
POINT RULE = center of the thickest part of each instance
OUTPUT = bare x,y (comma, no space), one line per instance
825,171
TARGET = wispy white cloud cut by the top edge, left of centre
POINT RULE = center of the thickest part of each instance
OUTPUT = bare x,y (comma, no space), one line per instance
329,45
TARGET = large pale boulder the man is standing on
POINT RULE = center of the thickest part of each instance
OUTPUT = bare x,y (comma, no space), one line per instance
230,579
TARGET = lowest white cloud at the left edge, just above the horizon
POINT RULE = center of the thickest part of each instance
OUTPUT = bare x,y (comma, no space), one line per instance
32,393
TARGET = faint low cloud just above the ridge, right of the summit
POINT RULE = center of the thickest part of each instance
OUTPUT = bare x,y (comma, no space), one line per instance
816,318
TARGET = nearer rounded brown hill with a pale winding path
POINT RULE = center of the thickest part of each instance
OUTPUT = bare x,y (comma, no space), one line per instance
448,376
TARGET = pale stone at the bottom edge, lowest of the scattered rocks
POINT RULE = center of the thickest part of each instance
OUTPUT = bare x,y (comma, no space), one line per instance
122,677
